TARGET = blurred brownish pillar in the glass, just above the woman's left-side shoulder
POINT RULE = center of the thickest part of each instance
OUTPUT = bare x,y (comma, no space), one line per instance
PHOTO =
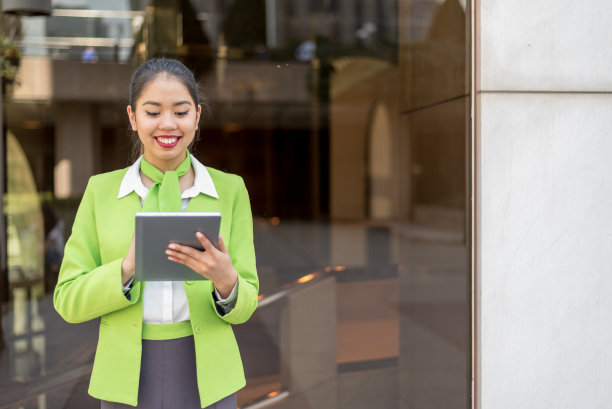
74,148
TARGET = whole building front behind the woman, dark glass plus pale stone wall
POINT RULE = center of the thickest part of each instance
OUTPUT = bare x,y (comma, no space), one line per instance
399,221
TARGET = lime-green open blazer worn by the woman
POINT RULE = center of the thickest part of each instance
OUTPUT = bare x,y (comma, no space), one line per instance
89,286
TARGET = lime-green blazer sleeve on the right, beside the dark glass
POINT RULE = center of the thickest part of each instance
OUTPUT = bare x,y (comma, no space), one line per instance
242,253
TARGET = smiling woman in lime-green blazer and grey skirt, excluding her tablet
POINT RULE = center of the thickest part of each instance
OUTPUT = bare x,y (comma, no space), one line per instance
163,344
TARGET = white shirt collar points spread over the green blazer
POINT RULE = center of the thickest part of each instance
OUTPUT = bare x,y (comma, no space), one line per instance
202,183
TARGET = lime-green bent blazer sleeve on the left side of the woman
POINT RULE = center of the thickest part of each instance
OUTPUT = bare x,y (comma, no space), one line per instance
86,288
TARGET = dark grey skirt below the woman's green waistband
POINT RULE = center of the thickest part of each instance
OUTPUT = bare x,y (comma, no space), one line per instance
168,378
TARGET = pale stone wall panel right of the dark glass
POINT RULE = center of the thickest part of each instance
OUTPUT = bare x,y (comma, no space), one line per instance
543,200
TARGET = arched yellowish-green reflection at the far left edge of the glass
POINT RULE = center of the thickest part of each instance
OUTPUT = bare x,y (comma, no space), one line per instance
23,331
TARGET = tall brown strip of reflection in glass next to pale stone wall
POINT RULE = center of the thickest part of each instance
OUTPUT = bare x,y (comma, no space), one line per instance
434,281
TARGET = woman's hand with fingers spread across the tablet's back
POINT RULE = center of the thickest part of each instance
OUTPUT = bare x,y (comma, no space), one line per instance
212,263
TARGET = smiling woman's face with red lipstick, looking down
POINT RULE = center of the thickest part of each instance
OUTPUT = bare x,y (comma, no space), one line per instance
166,119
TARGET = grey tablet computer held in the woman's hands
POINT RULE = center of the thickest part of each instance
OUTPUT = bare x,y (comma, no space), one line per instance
154,231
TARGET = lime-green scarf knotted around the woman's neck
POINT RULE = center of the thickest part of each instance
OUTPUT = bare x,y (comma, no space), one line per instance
165,194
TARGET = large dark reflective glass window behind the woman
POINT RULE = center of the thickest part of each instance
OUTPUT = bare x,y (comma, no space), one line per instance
349,122
